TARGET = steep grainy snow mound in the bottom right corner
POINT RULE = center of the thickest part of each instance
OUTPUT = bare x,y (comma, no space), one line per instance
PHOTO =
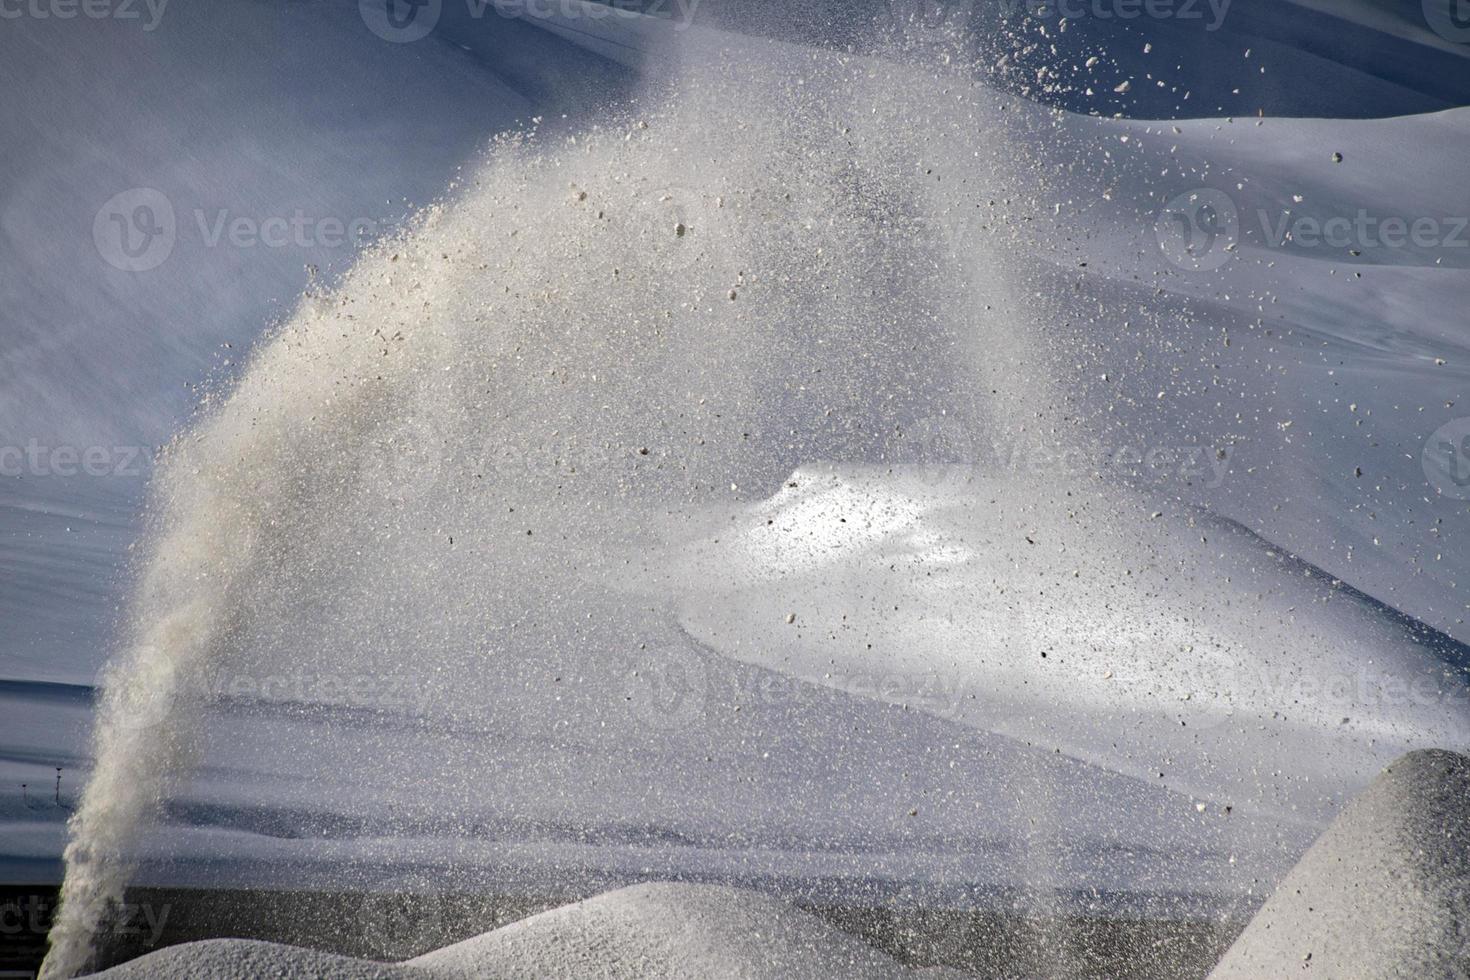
1384,891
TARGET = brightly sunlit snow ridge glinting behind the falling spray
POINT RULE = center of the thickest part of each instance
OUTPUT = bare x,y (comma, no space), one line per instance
1168,647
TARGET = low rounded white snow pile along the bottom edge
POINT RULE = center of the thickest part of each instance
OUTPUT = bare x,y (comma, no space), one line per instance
645,932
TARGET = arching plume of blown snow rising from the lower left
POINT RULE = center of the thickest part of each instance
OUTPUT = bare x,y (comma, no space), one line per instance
777,264
